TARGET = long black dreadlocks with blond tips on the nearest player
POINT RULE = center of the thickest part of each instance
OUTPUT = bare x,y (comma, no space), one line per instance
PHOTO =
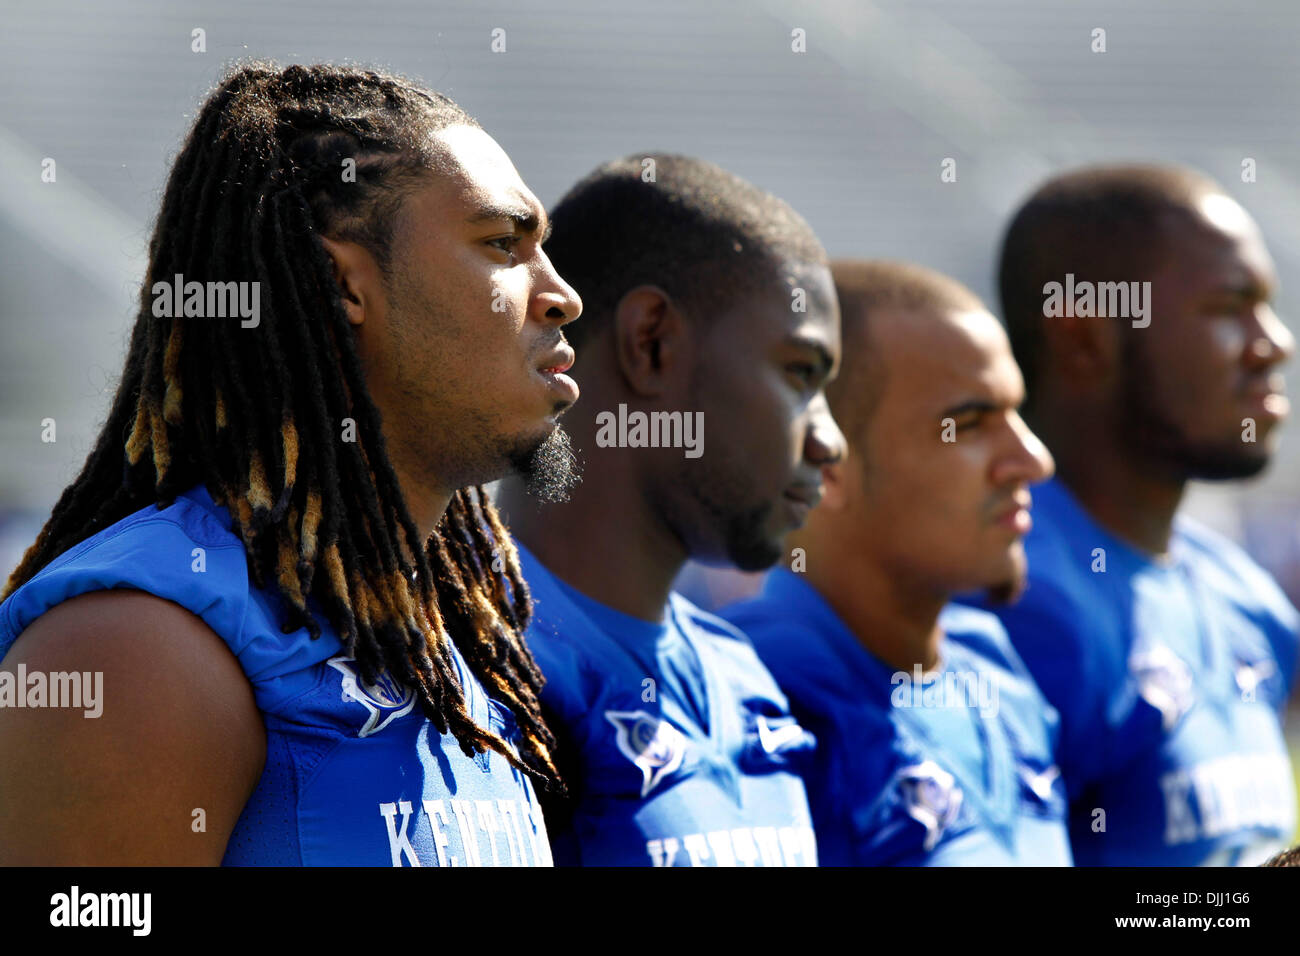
257,413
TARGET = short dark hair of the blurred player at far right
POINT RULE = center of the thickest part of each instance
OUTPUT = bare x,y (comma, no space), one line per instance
1104,224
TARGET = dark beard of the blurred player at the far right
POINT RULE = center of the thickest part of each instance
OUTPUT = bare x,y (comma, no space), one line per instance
1152,431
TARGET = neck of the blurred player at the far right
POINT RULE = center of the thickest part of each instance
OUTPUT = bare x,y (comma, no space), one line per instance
1125,494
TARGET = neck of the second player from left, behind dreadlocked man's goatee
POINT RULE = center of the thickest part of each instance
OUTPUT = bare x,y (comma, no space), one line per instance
608,542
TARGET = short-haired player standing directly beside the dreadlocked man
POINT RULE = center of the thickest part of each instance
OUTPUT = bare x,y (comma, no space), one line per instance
713,304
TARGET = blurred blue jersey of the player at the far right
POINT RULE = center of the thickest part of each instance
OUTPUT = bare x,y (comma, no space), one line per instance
1171,678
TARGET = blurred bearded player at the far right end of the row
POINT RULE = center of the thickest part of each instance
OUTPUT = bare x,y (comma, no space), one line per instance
1138,304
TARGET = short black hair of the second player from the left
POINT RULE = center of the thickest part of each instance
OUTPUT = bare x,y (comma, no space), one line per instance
690,227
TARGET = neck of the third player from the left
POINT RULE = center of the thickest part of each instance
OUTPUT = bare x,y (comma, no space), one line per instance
892,617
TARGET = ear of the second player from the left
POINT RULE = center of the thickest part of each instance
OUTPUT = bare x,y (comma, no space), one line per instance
651,340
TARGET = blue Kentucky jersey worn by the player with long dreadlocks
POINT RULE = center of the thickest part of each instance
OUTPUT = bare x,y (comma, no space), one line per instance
356,773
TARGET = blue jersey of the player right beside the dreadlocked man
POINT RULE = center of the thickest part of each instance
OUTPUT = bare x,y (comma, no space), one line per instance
675,741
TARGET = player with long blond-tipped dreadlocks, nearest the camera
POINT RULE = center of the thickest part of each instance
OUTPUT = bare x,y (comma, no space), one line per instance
306,612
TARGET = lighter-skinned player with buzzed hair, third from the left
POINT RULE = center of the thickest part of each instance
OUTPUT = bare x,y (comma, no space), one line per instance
935,746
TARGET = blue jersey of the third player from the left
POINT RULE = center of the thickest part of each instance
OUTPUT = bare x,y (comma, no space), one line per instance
955,768
